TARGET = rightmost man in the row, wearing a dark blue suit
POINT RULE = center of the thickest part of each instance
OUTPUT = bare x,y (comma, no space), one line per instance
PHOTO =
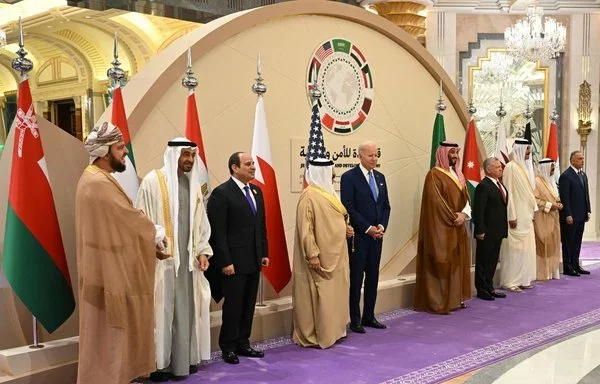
575,197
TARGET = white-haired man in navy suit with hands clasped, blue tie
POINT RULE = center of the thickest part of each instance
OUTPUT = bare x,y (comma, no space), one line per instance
365,196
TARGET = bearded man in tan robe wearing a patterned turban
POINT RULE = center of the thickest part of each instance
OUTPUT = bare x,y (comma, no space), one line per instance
116,249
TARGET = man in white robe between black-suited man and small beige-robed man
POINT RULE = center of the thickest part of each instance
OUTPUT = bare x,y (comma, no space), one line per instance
517,253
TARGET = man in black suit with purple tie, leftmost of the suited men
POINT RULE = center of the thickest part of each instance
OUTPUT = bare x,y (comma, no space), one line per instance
236,212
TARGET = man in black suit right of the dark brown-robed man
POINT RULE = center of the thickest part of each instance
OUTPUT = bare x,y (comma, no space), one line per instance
491,226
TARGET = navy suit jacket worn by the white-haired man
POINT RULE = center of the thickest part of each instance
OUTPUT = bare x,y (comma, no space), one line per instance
356,196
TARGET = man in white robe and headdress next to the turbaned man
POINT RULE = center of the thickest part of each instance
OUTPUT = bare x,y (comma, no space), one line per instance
172,197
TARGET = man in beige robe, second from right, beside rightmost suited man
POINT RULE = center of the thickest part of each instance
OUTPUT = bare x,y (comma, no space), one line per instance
546,222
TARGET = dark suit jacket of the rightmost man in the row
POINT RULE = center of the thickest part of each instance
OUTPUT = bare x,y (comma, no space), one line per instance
574,195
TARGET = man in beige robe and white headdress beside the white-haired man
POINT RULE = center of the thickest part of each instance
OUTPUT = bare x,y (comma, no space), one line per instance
321,270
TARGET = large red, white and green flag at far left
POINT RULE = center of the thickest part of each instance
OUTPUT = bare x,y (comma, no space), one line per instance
34,261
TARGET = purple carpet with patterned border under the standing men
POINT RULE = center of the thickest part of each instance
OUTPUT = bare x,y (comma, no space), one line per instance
420,348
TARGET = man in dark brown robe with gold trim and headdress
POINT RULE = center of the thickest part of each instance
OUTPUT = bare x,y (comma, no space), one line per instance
443,267
